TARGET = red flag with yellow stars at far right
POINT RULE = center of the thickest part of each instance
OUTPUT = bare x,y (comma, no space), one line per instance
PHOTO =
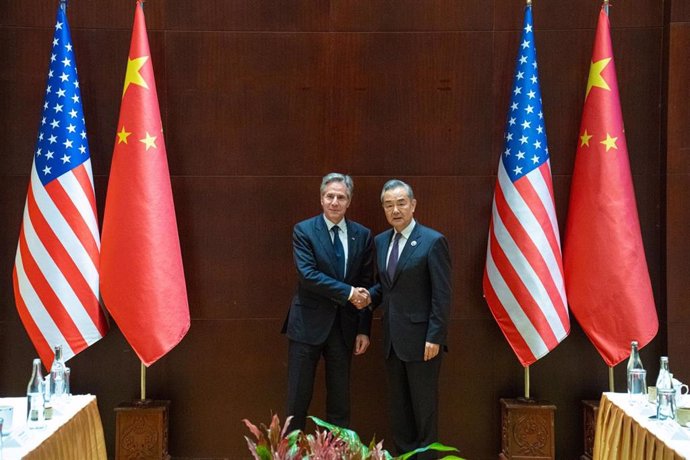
606,274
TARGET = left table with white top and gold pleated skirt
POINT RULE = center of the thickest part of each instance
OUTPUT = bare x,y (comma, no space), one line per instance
74,432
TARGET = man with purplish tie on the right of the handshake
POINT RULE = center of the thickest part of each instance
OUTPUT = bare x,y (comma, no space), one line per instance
414,290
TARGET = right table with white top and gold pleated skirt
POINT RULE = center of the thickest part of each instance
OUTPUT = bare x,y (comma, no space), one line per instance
627,431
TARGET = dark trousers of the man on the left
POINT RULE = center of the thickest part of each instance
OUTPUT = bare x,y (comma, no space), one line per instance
303,360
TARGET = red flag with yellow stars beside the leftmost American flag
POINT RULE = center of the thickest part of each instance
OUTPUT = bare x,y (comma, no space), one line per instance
142,277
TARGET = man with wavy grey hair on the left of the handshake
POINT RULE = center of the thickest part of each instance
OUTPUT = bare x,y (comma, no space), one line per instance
334,261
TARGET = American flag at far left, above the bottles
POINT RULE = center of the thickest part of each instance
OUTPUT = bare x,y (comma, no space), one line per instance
55,275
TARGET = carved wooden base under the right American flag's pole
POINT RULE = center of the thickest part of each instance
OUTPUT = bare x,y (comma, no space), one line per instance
527,430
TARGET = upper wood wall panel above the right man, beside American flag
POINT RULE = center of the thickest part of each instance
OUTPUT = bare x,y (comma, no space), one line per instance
396,110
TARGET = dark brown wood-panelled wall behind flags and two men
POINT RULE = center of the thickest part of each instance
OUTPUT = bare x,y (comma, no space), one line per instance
260,99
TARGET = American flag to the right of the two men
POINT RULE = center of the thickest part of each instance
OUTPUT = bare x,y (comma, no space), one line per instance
523,278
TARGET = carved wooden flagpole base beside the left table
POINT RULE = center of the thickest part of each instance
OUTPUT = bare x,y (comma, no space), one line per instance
141,430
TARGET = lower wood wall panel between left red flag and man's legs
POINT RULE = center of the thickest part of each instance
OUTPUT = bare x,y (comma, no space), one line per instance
224,371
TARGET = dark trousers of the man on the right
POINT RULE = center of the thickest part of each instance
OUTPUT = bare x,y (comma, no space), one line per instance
413,403
